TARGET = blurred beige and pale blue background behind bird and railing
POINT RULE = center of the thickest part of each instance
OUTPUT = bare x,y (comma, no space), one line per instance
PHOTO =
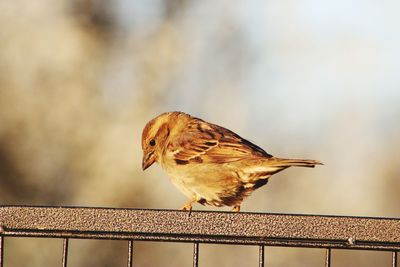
309,79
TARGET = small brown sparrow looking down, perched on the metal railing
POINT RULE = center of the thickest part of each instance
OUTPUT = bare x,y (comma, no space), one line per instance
208,163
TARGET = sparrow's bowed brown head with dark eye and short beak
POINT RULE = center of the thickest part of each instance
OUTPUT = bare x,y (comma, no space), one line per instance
154,137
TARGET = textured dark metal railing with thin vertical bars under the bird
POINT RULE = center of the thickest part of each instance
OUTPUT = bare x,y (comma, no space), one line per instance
259,229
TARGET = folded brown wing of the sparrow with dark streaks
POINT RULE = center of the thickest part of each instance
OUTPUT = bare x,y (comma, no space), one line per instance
205,142
